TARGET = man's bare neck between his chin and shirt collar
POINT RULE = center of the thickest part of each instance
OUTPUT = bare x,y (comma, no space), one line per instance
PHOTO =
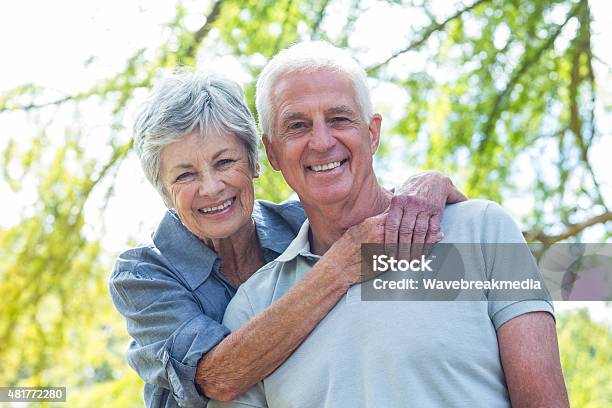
329,222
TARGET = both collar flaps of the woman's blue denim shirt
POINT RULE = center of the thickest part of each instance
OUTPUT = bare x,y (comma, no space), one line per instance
194,261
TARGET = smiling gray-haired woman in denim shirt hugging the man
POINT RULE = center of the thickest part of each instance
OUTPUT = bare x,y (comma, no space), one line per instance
198,146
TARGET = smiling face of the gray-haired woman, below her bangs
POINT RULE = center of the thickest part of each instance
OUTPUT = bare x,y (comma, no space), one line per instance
209,182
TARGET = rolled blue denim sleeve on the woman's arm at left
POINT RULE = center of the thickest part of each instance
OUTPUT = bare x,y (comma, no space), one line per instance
169,329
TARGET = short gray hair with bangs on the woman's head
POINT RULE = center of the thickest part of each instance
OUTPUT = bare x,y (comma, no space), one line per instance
182,103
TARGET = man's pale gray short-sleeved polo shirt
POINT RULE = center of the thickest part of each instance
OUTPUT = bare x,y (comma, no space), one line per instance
390,353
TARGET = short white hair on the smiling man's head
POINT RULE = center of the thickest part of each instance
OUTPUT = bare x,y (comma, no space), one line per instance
309,57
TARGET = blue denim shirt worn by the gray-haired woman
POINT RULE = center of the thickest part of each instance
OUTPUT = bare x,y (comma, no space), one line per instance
173,298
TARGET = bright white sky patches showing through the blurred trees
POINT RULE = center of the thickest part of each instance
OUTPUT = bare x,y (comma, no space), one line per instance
67,45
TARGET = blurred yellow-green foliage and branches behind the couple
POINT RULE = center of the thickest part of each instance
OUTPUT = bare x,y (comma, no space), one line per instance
508,97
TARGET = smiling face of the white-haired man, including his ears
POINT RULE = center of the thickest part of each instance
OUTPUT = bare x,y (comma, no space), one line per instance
321,143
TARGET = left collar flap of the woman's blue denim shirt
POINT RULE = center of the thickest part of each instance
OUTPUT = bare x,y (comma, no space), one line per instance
184,251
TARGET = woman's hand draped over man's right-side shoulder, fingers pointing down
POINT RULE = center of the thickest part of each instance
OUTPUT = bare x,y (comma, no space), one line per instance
415,216
